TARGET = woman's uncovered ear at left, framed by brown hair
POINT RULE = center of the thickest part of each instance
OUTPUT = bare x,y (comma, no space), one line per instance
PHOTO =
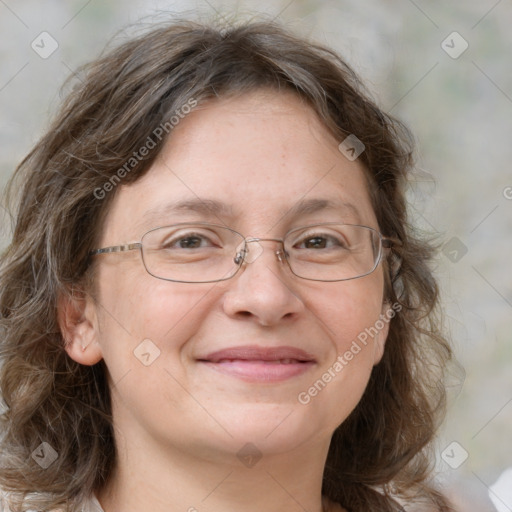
76,315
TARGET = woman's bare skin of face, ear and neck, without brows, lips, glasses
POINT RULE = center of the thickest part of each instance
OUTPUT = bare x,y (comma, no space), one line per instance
179,424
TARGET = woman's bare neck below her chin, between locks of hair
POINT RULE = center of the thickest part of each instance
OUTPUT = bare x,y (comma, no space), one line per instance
149,478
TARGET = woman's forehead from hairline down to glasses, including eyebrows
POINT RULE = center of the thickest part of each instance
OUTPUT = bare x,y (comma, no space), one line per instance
255,160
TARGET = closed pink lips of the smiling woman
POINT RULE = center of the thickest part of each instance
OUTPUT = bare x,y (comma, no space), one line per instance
260,364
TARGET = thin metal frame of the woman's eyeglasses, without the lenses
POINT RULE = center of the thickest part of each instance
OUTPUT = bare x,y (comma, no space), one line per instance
385,243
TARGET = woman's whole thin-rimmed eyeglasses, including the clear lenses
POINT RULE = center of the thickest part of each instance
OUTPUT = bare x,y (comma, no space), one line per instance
207,253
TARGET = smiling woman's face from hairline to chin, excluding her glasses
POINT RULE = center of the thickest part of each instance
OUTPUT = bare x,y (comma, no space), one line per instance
263,159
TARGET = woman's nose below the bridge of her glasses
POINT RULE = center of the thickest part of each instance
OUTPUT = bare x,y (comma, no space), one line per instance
262,290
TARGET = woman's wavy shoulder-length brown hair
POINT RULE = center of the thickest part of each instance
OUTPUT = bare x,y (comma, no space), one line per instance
380,455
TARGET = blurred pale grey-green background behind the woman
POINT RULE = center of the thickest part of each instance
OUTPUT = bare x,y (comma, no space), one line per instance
443,67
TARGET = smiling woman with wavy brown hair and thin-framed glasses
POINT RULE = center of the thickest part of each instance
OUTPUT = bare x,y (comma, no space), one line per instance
212,299
